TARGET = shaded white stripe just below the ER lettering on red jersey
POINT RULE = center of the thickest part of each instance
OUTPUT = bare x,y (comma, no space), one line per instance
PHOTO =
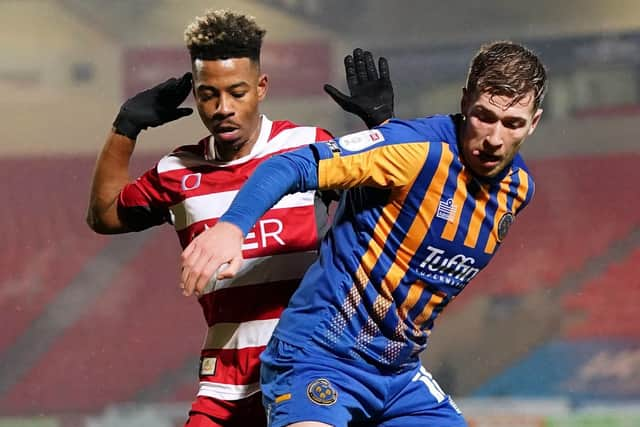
266,269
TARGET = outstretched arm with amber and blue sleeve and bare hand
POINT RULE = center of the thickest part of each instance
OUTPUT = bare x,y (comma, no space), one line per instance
318,166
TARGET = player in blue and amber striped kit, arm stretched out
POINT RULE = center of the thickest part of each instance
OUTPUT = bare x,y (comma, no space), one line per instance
427,203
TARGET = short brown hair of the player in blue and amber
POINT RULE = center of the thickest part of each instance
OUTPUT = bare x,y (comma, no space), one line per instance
505,68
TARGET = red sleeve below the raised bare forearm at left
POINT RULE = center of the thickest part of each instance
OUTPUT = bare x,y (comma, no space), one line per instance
140,204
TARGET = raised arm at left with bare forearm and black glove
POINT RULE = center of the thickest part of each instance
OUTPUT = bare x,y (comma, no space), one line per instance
150,108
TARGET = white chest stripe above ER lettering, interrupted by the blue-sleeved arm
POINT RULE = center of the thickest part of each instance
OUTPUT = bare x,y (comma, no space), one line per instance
208,206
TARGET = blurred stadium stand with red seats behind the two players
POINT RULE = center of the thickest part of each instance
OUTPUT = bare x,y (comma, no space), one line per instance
93,329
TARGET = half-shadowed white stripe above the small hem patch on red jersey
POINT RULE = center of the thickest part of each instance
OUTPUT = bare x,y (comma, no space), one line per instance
255,333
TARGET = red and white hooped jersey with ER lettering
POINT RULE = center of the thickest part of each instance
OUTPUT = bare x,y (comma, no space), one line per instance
191,189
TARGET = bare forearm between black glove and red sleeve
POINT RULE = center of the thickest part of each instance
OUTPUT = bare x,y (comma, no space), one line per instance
110,176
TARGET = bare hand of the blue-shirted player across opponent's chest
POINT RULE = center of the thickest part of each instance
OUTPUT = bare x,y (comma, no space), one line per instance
207,255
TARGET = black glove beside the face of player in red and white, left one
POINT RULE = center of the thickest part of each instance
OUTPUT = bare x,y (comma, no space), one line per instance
153,107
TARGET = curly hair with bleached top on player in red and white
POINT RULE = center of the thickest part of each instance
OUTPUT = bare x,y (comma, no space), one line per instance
223,34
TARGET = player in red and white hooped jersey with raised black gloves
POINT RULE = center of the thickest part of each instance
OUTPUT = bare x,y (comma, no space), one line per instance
194,184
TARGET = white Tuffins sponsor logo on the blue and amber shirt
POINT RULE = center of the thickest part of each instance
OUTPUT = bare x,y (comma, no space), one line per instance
455,271
